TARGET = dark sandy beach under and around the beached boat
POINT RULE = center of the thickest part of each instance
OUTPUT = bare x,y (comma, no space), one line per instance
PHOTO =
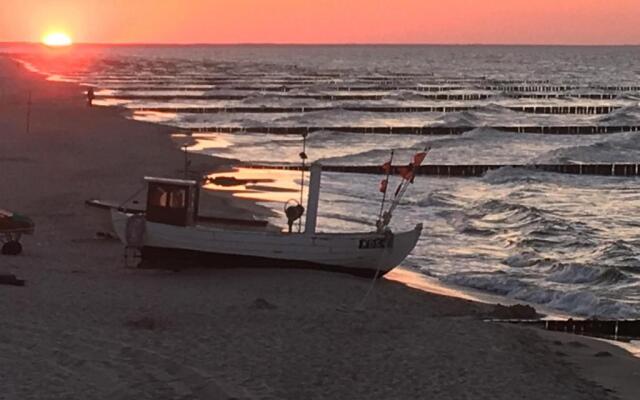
85,327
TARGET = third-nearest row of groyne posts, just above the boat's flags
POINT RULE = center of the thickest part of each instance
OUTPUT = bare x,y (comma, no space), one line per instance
420,130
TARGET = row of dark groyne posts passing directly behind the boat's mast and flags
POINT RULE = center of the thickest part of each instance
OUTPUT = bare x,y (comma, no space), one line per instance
470,171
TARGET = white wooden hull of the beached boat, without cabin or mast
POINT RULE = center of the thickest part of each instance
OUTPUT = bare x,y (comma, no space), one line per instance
364,254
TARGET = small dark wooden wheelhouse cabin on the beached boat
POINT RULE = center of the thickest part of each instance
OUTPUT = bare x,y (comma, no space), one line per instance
172,201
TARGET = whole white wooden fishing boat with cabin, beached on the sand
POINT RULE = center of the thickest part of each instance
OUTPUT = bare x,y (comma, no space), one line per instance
170,235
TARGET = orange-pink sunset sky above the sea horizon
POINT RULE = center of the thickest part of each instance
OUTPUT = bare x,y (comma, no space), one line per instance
325,21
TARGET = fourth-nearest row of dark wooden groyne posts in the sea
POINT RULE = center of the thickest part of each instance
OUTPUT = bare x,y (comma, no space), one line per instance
586,110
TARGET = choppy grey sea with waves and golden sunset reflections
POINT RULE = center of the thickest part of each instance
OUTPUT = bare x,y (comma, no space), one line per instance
570,243
